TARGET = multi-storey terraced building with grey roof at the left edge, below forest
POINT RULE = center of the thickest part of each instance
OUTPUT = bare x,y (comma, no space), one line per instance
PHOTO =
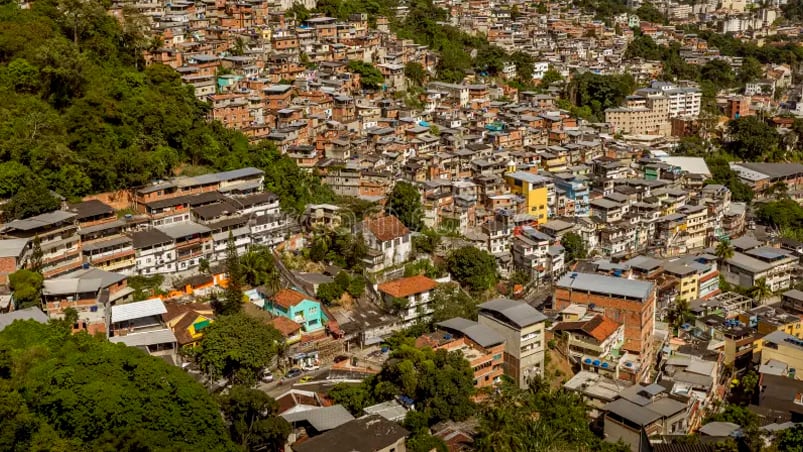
57,233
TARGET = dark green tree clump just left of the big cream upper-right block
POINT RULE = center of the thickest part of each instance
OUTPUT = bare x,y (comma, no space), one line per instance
600,92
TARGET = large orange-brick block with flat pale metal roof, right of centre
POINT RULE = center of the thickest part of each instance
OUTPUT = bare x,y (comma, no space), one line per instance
627,301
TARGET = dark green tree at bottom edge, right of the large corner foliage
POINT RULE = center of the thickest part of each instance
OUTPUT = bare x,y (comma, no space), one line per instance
252,418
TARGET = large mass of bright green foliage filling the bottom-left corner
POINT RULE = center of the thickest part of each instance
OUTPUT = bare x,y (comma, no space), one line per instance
63,392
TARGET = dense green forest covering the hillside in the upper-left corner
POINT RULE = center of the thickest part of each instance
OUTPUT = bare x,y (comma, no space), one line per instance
82,114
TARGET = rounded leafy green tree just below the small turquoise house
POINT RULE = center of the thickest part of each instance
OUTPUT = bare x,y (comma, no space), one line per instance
237,347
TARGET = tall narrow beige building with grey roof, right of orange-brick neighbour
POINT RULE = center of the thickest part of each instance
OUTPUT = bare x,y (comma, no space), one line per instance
522,328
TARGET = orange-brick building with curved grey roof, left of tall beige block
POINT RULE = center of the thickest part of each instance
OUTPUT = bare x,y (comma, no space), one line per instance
480,345
